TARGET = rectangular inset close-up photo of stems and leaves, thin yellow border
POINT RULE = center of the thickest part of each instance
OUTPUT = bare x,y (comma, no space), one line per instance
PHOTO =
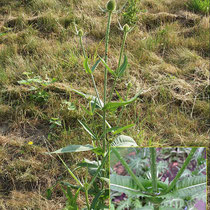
158,178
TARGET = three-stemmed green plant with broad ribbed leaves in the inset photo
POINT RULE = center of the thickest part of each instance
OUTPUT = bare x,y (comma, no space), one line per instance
160,194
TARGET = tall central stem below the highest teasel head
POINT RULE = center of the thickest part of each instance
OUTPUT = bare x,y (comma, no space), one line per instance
105,78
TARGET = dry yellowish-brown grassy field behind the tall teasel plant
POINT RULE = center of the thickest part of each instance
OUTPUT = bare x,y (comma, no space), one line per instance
41,60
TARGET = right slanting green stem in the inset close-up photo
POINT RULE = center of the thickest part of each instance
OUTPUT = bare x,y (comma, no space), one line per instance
187,161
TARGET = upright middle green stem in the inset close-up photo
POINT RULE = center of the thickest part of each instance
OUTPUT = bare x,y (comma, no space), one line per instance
153,168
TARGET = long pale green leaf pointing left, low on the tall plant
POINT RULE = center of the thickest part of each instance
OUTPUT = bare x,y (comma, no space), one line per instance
73,148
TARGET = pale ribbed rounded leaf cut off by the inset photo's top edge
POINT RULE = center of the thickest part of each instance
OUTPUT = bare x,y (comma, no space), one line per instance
123,141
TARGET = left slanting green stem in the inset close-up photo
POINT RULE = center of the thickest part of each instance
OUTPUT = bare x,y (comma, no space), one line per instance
134,177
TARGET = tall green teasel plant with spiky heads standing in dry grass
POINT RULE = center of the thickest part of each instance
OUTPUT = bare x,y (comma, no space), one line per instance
99,169
